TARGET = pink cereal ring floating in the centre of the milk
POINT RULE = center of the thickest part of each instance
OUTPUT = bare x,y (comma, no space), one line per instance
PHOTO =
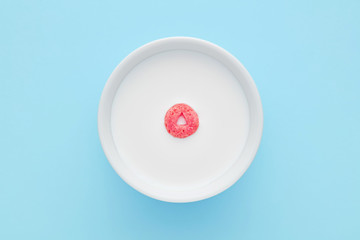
172,117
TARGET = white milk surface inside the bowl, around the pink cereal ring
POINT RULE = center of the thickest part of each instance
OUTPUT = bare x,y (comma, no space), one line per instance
140,105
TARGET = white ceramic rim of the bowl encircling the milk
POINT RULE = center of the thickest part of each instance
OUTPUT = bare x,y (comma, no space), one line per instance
234,173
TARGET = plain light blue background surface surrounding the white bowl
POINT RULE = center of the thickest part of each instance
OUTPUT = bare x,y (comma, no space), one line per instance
55,182
